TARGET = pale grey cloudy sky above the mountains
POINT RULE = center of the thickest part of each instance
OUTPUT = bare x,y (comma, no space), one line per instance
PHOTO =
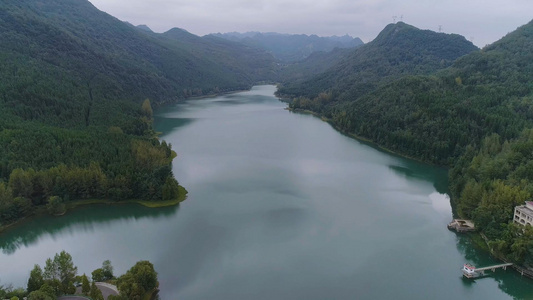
482,21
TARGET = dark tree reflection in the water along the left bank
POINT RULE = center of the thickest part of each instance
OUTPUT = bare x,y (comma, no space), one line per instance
83,218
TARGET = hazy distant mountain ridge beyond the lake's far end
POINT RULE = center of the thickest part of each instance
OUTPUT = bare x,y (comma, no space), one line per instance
291,47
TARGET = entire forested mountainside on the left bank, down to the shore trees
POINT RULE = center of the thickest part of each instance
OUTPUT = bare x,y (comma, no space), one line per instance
74,119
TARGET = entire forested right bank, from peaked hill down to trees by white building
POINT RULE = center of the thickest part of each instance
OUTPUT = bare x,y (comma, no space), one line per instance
467,113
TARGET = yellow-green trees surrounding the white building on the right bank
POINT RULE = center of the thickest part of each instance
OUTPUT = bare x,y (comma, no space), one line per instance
487,185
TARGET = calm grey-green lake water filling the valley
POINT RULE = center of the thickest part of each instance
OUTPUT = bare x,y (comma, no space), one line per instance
281,206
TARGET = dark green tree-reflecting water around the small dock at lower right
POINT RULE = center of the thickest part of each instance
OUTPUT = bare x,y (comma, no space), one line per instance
508,281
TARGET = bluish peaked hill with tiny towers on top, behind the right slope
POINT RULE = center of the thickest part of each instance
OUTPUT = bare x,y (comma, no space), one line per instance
400,49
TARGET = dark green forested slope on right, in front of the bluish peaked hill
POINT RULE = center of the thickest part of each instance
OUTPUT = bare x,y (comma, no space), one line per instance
435,117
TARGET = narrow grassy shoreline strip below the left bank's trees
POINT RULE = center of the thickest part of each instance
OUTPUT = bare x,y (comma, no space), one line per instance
41,210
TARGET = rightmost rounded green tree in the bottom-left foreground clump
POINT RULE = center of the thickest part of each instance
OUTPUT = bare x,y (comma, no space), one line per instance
140,279
